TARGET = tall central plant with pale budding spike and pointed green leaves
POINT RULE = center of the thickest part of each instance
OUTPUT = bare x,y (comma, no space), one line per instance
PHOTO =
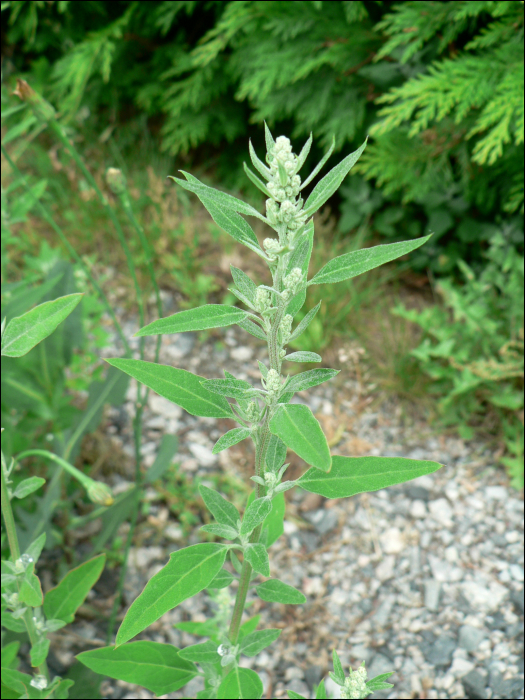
268,417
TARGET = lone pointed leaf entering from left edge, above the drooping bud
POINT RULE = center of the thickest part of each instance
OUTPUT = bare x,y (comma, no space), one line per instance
24,332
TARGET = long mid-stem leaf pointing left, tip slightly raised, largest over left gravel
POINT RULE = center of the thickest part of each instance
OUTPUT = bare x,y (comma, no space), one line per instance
177,385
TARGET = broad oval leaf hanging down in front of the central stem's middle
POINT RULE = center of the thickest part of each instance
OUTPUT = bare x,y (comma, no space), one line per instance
299,429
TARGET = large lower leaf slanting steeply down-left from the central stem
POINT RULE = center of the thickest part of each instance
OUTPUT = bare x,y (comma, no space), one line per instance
188,572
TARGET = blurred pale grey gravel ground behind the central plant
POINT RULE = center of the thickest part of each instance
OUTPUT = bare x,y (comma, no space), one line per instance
424,579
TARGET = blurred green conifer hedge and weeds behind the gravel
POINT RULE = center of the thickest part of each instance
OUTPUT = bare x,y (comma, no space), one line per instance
154,87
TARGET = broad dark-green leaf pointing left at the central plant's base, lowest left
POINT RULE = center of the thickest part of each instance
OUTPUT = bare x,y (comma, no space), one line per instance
154,666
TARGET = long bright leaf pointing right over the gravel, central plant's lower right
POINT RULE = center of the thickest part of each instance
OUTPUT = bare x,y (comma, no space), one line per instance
351,475
